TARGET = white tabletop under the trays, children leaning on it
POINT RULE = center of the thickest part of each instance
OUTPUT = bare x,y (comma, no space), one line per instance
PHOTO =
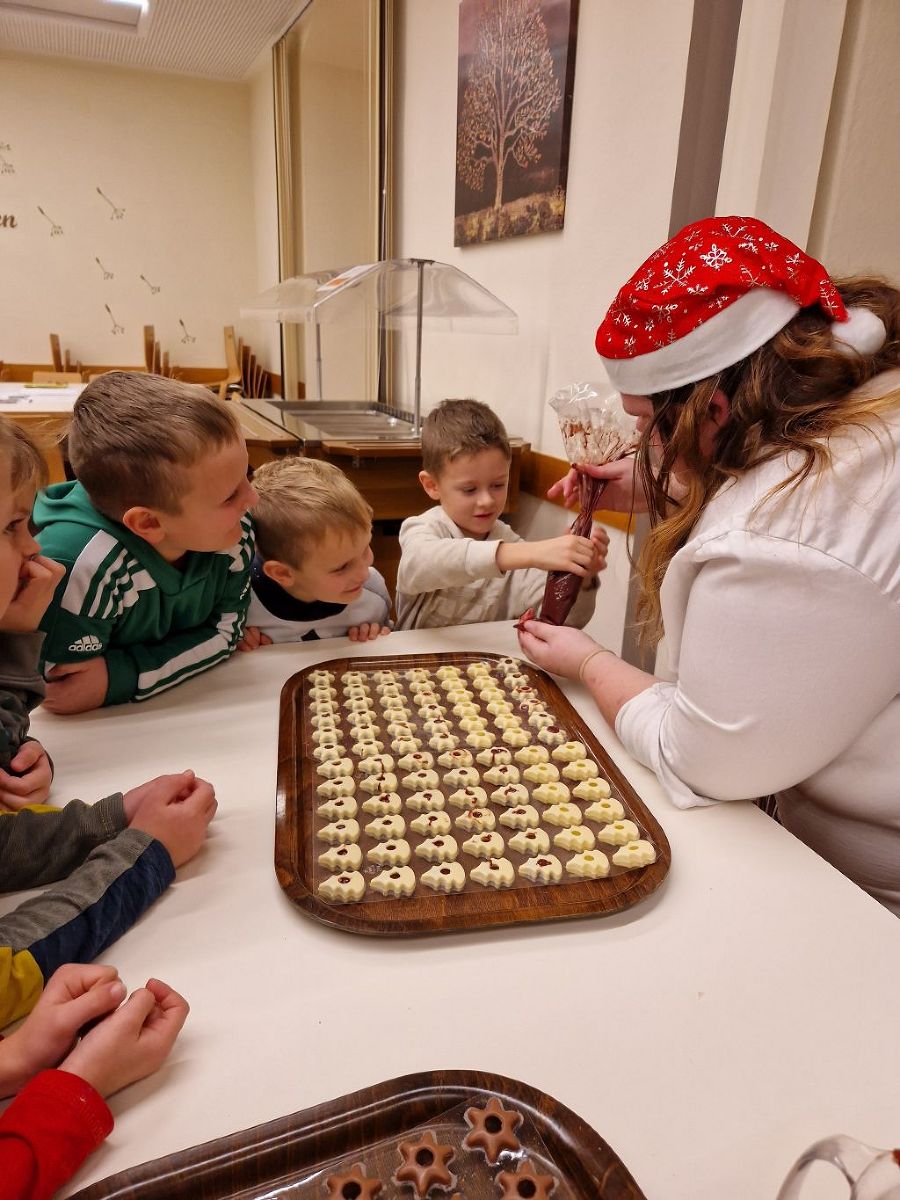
710,1034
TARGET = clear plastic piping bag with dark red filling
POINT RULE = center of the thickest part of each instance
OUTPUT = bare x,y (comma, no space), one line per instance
596,430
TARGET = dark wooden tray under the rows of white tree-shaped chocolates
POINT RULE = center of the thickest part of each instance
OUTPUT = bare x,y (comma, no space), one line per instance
297,848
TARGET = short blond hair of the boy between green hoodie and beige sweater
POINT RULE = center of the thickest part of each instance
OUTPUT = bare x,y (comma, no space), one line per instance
302,501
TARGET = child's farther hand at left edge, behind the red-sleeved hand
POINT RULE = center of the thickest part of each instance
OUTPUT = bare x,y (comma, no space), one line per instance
75,994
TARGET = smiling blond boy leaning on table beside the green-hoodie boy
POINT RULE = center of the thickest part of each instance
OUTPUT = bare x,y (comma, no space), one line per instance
313,577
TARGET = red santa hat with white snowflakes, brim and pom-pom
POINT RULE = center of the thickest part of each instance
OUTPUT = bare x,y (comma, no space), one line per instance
713,295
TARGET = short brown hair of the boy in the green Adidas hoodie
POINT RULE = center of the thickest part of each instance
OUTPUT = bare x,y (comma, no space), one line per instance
134,436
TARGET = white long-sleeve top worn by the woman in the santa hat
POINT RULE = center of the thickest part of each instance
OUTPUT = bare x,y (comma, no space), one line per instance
783,628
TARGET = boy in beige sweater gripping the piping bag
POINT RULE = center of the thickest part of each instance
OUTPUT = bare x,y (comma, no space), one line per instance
459,562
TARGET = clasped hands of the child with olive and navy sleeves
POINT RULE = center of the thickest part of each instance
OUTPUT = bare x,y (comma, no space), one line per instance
175,811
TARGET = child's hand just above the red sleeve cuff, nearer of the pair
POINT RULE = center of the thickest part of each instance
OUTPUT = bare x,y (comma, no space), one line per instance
133,1042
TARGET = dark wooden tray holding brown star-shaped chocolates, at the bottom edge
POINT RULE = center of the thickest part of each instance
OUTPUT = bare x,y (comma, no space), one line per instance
293,1150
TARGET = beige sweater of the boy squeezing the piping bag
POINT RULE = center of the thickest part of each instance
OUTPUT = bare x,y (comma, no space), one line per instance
448,579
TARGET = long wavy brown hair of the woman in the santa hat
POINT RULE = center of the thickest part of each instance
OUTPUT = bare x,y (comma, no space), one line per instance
794,394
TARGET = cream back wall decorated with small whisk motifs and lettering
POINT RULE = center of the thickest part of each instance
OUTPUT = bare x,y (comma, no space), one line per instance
175,154
